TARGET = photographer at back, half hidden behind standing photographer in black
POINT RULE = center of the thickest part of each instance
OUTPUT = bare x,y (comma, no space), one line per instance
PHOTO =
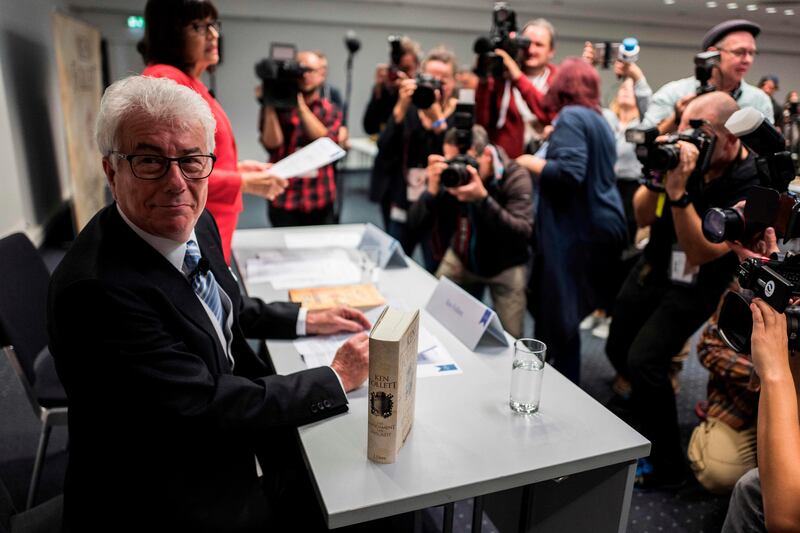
387,84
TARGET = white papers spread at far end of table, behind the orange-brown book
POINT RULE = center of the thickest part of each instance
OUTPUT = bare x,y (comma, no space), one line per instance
293,269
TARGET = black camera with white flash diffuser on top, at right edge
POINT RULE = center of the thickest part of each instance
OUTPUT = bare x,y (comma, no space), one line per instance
767,205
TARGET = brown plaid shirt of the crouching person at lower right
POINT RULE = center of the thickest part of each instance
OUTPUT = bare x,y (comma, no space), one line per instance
732,392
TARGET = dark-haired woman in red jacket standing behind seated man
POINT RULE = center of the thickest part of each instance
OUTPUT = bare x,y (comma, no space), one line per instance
181,42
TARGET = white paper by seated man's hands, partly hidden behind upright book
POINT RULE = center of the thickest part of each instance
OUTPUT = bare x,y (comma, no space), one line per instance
433,359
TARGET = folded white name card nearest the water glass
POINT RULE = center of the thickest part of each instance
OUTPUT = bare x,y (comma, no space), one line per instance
463,315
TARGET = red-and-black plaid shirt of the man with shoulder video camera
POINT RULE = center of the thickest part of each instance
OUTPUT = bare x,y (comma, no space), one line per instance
307,194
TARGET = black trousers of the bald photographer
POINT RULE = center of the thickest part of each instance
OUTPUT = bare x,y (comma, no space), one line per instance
652,320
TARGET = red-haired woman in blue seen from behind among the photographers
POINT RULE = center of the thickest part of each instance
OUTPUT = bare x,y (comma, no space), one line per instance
579,228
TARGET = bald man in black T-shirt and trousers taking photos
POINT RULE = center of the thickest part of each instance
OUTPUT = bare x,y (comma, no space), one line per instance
677,283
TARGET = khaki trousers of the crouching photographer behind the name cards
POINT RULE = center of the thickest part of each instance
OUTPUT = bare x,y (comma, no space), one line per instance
507,289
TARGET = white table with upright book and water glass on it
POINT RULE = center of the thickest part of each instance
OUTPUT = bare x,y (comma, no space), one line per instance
568,468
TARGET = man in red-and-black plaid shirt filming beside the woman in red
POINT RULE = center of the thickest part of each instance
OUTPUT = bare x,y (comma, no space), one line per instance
307,200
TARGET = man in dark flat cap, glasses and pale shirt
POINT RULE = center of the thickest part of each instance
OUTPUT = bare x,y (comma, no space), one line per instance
736,42
